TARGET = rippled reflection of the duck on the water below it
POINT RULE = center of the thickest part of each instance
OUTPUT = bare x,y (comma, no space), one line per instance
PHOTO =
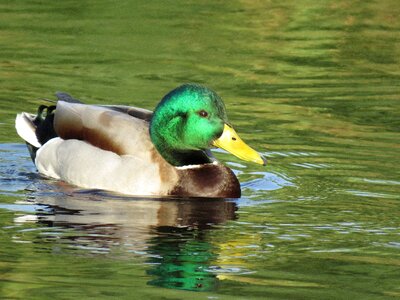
170,233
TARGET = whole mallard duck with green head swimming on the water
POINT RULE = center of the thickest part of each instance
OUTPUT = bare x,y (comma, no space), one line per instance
134,151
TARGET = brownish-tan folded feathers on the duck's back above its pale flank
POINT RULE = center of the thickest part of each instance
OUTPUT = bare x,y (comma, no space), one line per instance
103,127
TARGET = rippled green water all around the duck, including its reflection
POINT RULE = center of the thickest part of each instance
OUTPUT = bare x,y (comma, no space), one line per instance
314,85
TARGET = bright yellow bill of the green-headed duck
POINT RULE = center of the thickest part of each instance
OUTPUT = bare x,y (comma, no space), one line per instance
231,142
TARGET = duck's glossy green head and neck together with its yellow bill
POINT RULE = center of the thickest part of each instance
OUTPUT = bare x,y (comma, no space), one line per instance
192,118
